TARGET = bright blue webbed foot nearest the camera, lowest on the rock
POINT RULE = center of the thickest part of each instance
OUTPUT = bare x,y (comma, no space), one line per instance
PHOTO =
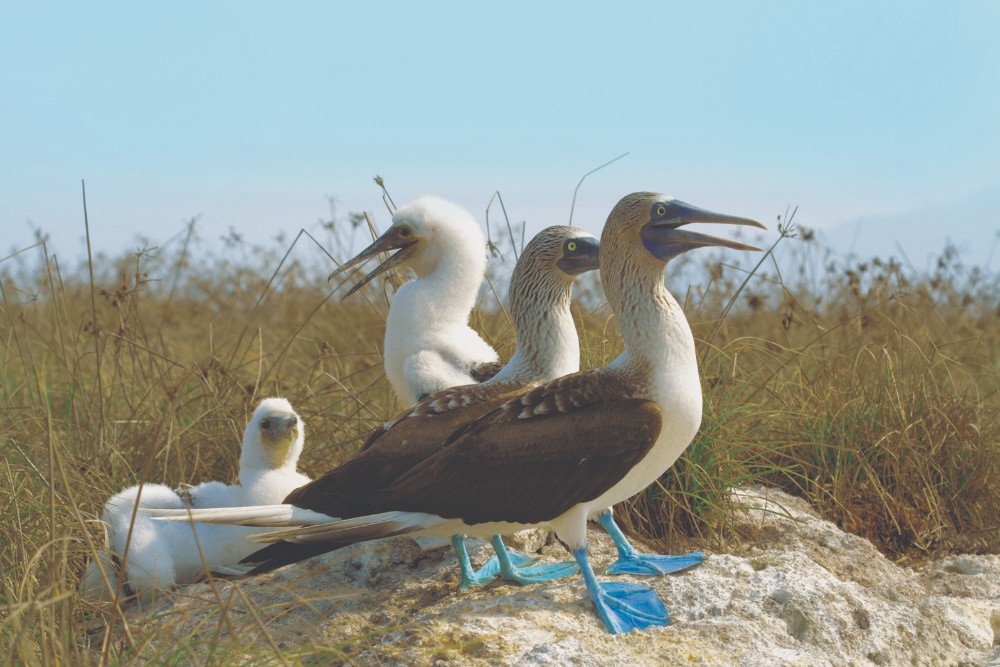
623,607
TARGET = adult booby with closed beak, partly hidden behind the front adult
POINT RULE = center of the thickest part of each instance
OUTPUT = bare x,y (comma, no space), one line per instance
547,348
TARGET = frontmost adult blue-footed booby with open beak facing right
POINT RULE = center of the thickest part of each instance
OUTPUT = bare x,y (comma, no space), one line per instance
572,447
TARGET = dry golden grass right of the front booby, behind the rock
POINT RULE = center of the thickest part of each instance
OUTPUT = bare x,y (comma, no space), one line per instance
871,392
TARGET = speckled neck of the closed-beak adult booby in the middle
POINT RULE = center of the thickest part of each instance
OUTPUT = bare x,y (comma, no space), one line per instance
547,343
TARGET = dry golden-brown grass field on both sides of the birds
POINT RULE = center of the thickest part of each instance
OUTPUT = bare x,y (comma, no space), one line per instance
871,391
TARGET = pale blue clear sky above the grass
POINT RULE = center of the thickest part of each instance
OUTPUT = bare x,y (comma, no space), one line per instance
877,118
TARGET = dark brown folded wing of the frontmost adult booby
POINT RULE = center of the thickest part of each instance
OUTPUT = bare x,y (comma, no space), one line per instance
524,466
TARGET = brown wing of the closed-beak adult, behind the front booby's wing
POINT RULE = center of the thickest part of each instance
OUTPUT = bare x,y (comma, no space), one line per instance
351,489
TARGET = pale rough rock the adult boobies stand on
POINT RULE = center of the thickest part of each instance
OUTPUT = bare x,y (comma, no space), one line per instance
798,591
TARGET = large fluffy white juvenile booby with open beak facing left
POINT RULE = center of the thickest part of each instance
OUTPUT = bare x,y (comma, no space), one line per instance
429,345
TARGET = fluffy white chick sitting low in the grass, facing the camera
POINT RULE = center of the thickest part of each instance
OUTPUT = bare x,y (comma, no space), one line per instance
161,555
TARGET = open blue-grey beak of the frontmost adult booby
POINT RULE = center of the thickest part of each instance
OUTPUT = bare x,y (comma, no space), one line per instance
663,238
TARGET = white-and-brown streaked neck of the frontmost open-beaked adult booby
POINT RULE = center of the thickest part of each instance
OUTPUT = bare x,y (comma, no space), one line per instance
659,346
